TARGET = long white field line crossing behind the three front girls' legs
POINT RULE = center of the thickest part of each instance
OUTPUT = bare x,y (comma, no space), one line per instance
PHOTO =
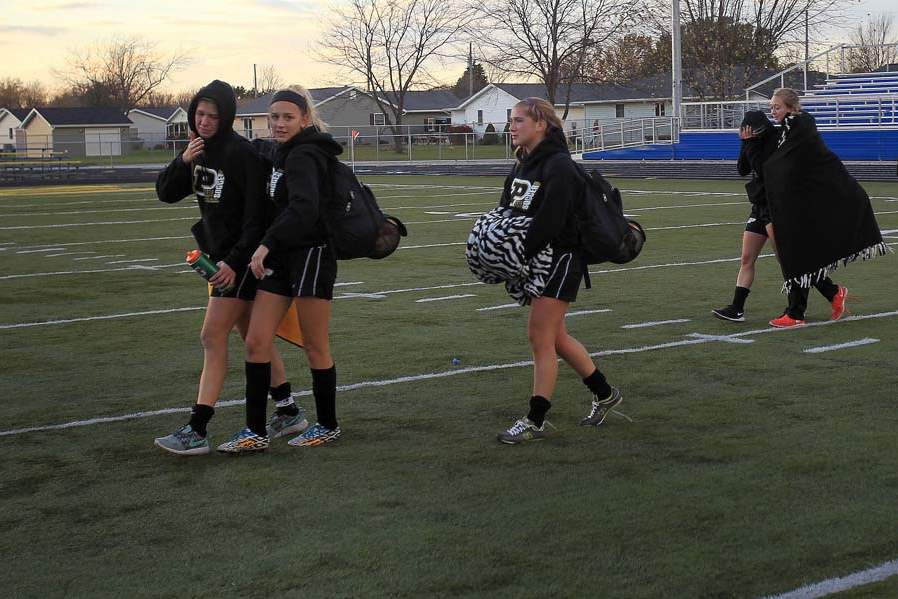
700,340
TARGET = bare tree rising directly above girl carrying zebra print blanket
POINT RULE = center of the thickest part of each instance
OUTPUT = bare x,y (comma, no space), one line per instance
548,39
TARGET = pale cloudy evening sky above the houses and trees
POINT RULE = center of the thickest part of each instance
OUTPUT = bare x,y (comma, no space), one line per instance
223,37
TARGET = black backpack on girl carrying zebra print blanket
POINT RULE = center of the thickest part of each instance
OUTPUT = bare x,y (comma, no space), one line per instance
605,234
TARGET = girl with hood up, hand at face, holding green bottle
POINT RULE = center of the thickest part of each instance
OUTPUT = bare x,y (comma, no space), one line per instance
224,172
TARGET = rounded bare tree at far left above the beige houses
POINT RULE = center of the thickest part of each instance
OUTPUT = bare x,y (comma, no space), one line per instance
128,69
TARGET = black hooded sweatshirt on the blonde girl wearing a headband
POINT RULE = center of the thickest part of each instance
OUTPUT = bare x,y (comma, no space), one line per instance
297,186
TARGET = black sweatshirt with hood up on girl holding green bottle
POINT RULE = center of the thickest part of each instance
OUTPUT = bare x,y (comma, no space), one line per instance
229,183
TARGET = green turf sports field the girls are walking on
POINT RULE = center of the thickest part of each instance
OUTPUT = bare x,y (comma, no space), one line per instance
735,469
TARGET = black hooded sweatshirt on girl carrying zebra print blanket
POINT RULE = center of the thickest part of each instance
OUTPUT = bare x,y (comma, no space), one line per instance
546,185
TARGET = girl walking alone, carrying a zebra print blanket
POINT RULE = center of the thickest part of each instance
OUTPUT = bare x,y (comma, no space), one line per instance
547,186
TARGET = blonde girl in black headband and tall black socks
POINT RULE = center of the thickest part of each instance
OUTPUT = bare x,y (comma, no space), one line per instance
293,260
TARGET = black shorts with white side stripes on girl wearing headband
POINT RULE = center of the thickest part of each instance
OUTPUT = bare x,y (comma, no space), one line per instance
306,272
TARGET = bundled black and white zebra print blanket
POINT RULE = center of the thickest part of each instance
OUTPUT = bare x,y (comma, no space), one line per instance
495,254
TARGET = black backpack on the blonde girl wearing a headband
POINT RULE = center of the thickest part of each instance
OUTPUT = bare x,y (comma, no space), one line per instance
355,224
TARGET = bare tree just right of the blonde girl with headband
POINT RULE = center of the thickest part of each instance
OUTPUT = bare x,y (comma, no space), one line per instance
387,46
